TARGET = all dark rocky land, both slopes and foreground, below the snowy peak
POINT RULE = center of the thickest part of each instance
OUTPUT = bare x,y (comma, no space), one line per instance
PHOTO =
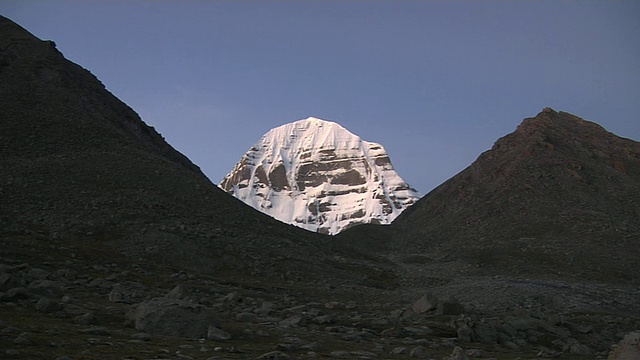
115,246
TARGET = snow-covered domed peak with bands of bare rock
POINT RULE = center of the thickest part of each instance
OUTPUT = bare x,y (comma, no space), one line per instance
317,175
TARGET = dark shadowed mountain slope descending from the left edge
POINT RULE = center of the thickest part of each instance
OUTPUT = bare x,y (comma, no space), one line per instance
79,165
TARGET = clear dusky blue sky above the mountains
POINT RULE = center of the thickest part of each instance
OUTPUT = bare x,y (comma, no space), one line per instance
435,82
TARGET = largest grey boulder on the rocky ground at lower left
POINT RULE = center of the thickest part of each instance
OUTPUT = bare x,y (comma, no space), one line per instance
172,317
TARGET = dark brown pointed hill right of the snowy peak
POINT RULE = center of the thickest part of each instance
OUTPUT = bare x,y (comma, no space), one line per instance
558,198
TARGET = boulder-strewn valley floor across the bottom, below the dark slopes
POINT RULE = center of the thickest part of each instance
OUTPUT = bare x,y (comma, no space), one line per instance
62,299
